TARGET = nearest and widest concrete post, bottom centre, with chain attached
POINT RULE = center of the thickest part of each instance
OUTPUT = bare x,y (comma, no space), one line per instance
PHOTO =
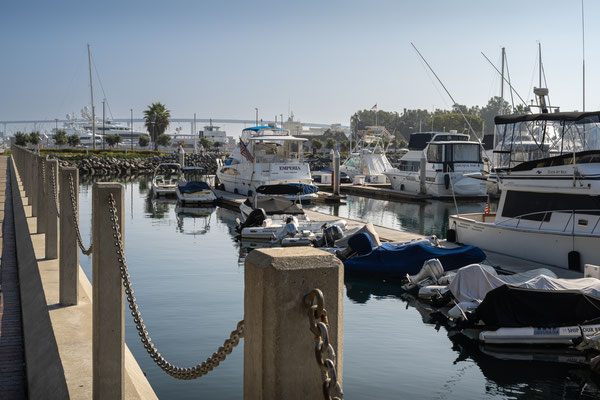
279,348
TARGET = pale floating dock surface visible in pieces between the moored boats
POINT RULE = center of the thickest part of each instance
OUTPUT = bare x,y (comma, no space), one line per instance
508,263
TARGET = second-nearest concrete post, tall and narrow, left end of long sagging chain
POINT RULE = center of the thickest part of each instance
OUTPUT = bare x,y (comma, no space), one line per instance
108,326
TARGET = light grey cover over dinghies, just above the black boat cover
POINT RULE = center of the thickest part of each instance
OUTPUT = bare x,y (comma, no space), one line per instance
473,282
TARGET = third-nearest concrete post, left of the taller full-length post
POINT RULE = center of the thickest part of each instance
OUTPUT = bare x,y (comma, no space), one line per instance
69,252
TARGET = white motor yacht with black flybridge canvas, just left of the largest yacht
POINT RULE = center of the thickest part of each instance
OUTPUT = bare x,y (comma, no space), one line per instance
448,158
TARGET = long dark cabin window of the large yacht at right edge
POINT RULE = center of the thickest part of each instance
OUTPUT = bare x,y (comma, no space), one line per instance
533,206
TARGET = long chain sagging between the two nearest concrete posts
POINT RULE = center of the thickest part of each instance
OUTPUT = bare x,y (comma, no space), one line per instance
176,372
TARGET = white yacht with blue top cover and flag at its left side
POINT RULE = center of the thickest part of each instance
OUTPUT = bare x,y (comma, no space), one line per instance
267,155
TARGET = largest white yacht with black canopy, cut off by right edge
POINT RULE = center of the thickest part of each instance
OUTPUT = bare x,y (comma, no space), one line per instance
549,208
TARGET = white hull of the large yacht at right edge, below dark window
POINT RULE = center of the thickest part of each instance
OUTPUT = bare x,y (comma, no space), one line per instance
545,247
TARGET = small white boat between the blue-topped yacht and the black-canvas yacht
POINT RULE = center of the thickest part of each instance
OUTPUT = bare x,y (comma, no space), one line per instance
368,159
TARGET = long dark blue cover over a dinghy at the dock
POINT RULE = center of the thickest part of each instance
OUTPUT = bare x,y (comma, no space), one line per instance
396,261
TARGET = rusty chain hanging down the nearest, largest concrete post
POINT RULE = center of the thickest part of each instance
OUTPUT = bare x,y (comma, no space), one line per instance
319,325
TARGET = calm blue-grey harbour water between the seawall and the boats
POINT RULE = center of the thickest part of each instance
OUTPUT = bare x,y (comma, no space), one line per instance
188,275
